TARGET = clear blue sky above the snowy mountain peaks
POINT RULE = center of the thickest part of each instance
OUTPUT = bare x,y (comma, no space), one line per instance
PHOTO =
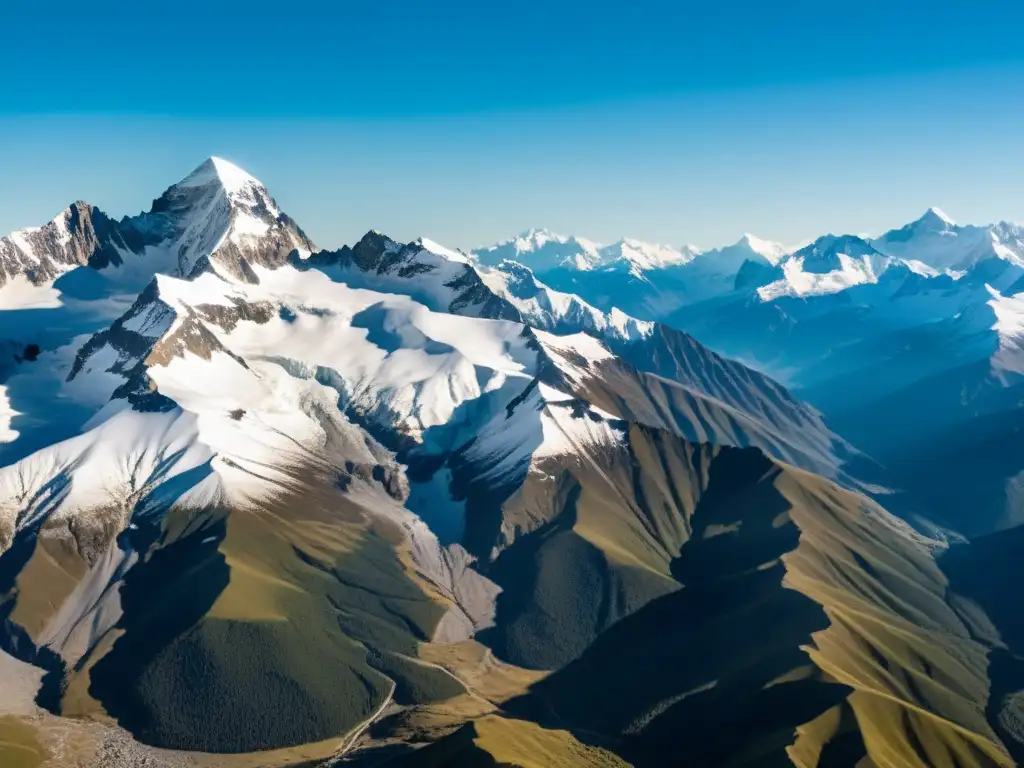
471,121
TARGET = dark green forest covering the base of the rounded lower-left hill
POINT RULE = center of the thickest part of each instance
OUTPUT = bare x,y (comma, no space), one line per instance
266,693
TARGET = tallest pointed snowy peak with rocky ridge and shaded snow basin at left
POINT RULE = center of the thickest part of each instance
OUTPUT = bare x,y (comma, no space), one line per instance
87,270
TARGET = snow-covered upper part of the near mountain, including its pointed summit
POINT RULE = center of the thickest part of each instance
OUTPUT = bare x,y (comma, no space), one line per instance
210,352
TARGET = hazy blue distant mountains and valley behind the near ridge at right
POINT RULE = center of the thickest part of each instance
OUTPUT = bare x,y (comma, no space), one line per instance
902,342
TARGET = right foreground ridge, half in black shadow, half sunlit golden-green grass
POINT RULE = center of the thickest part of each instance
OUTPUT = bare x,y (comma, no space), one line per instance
803,609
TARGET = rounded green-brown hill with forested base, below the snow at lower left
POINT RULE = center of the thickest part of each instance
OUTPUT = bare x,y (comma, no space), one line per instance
263,628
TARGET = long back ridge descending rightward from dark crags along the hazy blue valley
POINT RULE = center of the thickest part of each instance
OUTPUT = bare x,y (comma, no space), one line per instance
448,283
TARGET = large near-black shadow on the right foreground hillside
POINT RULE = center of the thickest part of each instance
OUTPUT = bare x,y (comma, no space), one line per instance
715,672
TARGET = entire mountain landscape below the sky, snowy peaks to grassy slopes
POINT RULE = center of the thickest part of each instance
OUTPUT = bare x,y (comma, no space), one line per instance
549,503
